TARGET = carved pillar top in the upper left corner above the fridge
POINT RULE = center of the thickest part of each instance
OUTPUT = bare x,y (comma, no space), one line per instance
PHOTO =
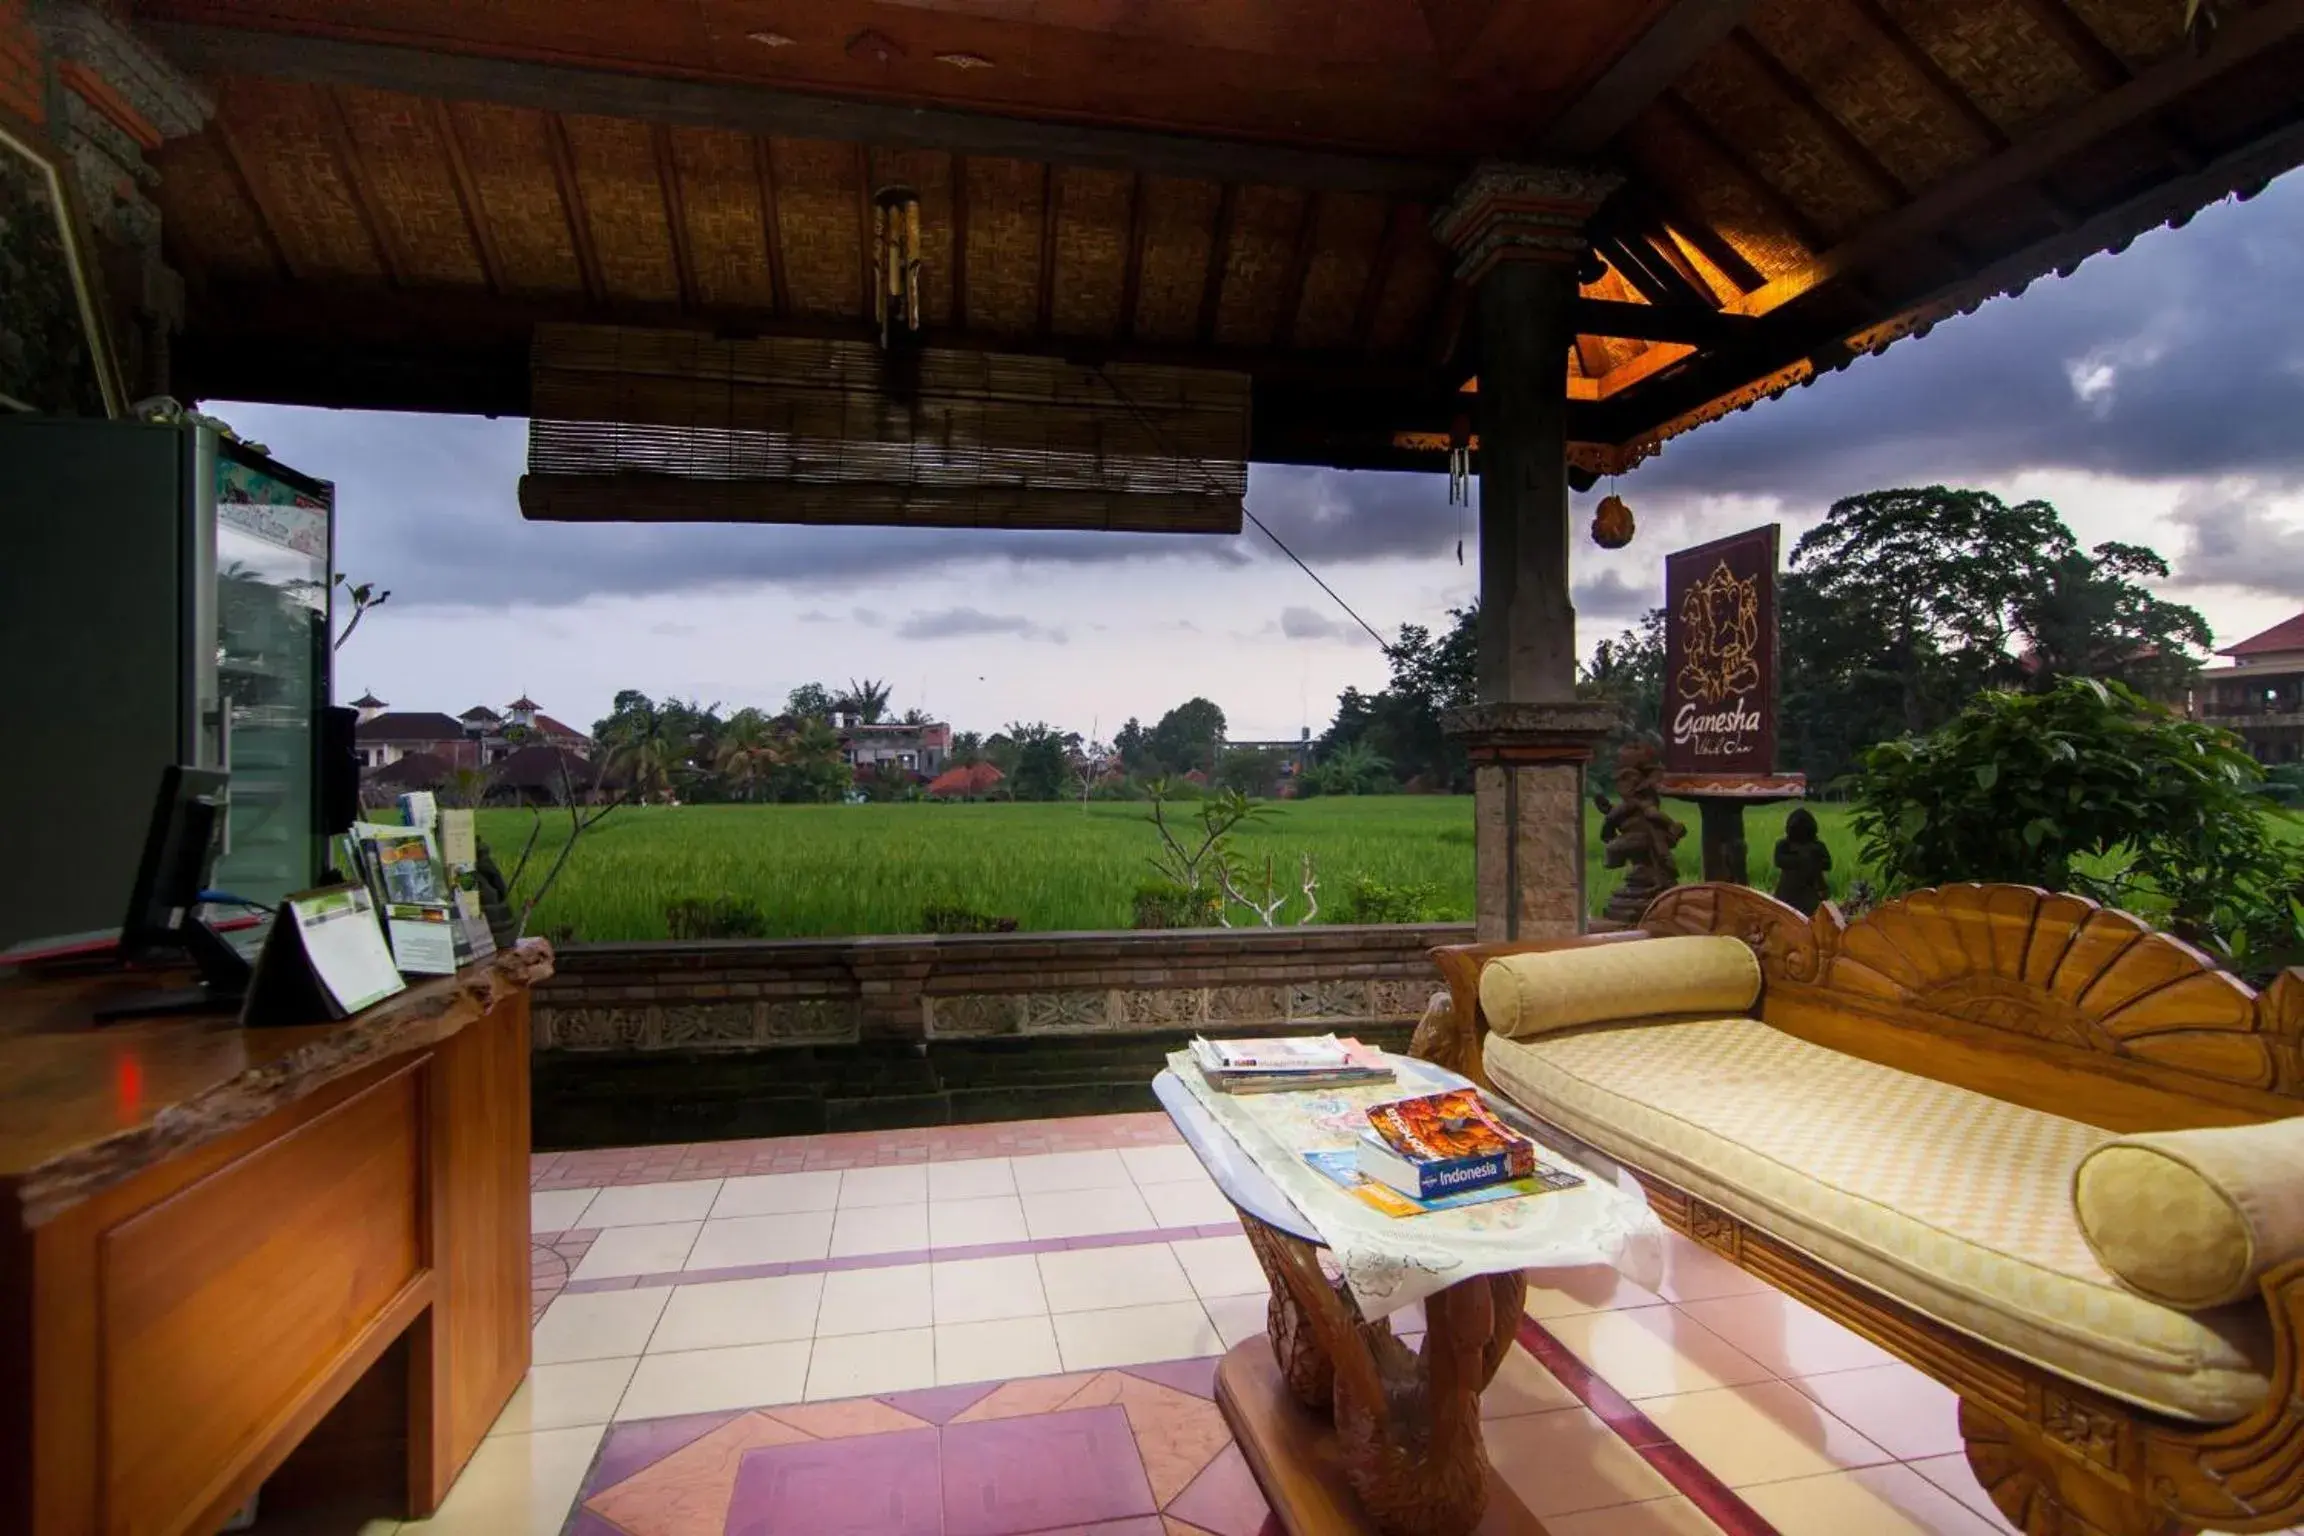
119,100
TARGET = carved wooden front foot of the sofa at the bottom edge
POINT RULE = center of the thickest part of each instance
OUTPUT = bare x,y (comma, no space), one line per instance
2066,1480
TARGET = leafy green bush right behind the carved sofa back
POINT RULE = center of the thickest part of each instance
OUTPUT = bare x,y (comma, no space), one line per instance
2086,789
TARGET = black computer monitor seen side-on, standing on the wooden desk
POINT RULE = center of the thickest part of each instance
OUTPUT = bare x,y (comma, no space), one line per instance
165,906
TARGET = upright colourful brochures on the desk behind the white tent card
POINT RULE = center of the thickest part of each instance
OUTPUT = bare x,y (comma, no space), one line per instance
420,876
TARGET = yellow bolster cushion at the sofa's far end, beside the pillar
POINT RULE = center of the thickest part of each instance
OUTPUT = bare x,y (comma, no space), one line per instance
1526,996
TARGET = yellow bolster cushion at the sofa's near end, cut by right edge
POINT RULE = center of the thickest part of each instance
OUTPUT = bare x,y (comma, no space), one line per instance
2195,1217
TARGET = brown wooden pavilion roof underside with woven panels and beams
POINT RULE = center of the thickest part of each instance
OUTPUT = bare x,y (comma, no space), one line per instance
395,192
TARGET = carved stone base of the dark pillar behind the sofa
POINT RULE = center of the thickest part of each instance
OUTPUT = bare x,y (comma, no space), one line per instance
1529,807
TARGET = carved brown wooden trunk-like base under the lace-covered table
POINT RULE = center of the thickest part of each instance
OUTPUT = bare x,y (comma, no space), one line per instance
1409,1422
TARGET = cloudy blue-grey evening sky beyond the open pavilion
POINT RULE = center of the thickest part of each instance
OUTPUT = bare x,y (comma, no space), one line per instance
2155,397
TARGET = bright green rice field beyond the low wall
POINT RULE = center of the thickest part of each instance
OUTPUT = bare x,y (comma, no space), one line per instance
1052,867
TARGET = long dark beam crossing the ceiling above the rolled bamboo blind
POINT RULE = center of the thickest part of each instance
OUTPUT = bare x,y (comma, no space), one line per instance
759,109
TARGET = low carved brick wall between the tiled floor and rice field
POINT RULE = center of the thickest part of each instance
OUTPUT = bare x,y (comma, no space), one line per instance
750,996
